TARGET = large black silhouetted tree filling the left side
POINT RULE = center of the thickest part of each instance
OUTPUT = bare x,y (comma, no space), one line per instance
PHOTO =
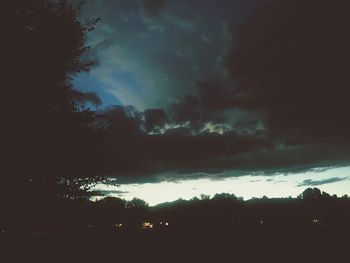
47,134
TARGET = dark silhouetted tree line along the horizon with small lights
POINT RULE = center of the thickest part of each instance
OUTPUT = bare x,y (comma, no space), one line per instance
312,208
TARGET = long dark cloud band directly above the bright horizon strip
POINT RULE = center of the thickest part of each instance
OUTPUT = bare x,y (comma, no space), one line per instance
130,153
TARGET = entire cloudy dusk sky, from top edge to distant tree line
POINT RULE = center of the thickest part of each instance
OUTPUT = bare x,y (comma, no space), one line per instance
213,93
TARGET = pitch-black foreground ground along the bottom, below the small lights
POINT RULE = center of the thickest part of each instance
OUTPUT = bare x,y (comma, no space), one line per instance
235,245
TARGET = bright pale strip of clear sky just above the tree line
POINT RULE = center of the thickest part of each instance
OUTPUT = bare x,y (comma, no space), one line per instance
249,186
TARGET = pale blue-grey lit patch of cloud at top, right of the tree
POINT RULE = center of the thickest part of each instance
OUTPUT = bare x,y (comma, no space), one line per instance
147,58
